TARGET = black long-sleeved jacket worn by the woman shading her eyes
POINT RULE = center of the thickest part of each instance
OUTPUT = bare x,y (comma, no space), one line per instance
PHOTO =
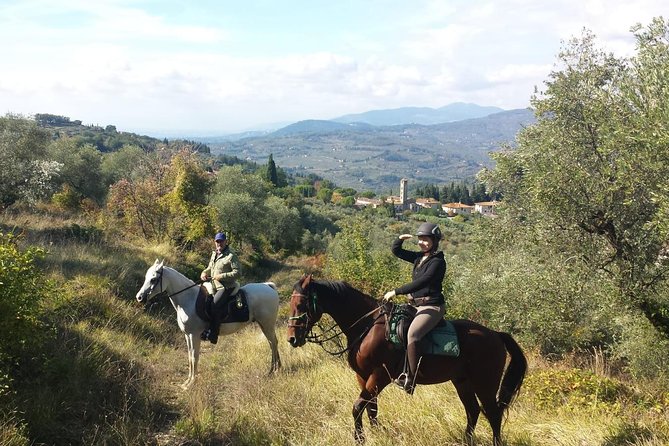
427,277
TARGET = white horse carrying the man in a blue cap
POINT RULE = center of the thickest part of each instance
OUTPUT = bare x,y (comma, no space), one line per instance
262,299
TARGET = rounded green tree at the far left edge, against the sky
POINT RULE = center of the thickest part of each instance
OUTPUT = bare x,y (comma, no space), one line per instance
26,171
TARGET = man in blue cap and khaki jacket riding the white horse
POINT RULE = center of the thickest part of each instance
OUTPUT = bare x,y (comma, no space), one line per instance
224,269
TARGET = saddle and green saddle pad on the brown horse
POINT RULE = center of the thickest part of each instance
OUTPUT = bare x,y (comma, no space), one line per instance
441,340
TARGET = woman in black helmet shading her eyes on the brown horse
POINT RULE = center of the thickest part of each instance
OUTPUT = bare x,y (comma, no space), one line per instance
424,292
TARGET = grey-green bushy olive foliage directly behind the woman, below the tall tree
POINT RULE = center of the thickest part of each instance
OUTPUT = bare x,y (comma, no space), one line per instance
511,280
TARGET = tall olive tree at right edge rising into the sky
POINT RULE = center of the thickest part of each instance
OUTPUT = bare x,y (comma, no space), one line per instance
589,178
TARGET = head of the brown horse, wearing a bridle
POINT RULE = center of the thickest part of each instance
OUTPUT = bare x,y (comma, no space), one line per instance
304,311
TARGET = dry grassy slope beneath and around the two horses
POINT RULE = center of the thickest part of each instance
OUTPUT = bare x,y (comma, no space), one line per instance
109,372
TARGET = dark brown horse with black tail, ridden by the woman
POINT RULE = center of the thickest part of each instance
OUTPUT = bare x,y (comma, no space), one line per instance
478,373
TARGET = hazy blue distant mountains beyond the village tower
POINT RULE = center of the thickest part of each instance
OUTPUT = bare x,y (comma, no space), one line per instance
365,156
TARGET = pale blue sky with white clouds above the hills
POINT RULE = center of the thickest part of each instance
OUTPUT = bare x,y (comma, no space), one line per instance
214,67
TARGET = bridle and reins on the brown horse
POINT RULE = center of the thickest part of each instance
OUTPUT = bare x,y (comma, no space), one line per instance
304,321
